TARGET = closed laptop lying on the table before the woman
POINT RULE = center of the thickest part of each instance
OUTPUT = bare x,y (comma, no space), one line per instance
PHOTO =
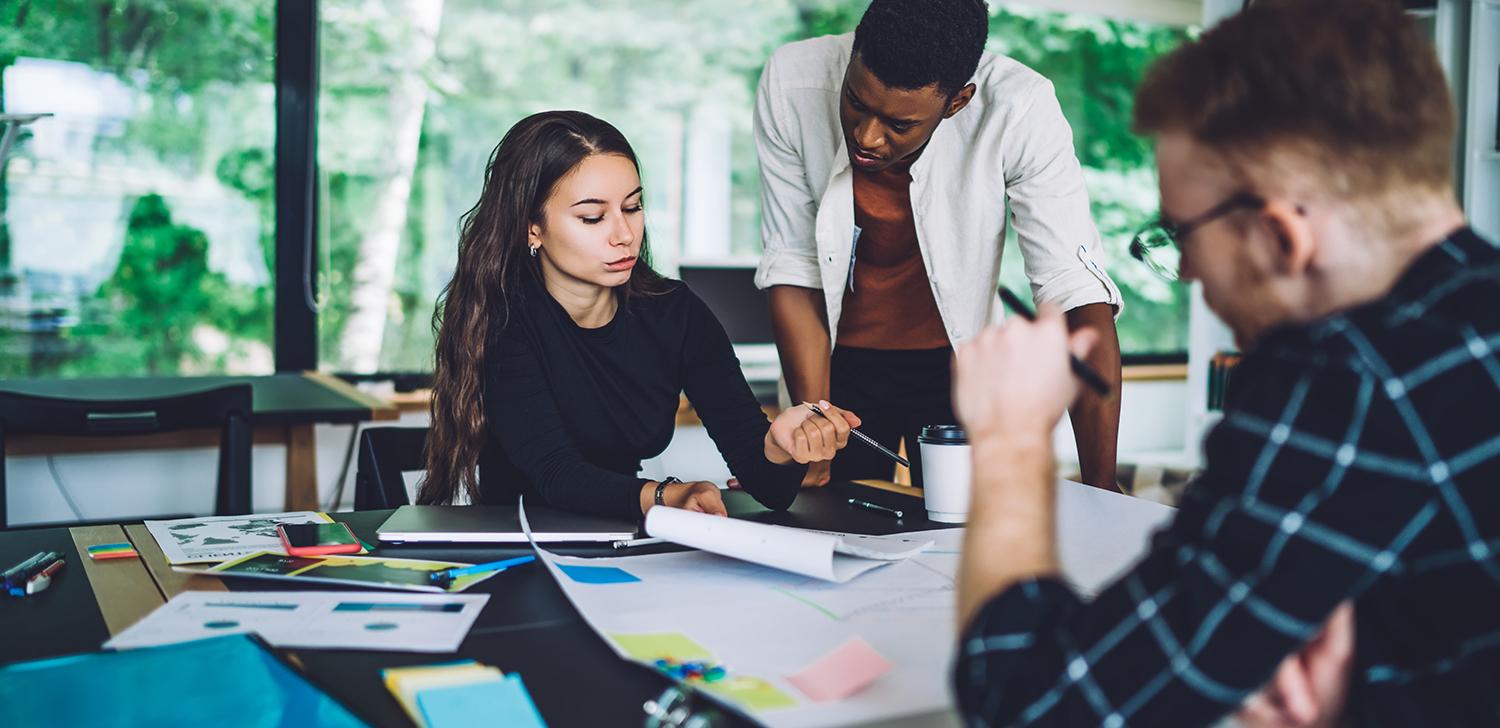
499,525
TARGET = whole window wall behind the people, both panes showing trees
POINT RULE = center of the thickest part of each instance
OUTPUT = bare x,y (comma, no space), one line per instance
137,224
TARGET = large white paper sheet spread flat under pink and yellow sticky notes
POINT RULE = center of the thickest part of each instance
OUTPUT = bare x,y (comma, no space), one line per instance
772,628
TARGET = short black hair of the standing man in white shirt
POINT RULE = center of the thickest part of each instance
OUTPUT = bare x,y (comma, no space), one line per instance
914,44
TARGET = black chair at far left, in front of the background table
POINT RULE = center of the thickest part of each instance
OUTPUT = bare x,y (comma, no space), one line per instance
224,409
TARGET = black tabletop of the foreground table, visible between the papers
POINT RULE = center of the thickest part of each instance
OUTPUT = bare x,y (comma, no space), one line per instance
529,625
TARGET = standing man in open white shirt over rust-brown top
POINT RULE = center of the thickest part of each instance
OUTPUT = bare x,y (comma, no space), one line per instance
887,160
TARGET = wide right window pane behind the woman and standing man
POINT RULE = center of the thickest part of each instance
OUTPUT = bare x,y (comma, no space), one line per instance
416,94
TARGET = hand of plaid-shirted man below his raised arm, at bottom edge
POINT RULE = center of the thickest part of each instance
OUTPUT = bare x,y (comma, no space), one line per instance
1312,685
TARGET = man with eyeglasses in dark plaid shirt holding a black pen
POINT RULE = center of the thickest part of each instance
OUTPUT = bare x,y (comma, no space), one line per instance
1337,561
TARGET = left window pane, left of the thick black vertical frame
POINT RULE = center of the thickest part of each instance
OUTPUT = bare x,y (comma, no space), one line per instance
136,223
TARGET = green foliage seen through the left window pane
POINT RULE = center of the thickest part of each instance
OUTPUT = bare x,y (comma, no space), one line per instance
202,70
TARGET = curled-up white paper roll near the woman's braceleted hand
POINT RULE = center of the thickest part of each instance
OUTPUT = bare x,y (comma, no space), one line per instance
821,555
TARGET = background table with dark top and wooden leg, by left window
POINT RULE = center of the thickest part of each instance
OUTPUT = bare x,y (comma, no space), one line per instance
286,411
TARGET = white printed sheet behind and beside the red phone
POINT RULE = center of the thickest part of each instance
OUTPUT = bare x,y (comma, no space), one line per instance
190,541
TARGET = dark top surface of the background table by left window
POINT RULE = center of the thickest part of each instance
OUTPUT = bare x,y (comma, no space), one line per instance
278,399
